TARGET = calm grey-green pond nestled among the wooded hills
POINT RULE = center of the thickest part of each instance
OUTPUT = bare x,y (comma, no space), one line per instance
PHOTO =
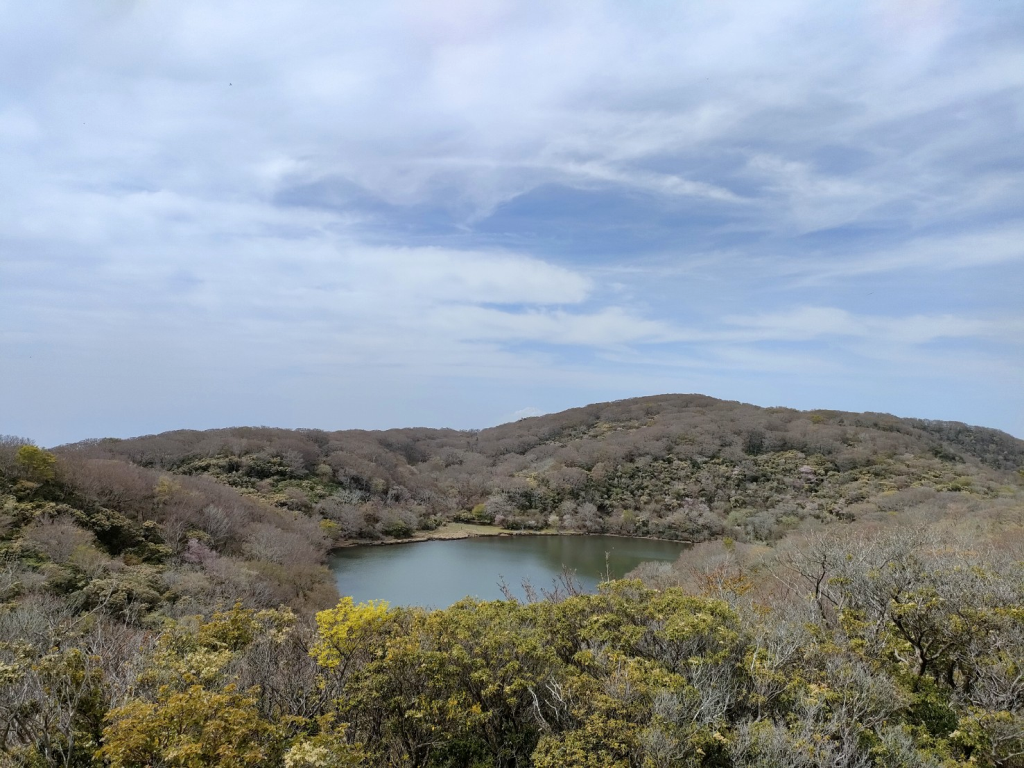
439,574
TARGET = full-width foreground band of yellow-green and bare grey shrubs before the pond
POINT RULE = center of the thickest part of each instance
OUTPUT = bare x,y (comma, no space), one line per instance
631,677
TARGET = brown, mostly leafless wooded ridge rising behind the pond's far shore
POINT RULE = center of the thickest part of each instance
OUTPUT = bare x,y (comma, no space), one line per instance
687,467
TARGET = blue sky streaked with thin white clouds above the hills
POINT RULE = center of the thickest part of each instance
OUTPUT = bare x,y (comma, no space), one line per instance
463,212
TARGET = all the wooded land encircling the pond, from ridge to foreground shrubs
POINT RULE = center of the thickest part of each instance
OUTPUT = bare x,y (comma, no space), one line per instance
855,600
